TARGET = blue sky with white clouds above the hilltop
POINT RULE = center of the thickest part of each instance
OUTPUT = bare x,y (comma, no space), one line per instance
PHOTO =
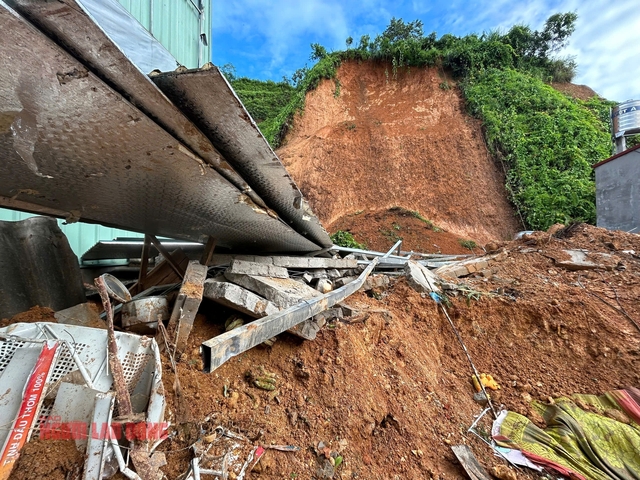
267,39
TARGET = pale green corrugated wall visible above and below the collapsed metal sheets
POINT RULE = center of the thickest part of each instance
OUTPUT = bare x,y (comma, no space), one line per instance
175,24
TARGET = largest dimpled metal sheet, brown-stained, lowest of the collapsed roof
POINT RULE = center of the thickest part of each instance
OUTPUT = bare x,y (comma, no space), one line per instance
70,143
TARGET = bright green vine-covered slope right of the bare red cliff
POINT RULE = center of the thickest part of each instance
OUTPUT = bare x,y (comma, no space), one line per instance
547,142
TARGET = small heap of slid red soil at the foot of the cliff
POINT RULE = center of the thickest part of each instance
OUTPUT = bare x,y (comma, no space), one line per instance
380,230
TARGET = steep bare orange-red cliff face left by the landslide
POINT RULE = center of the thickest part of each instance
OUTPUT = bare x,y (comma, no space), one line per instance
402,140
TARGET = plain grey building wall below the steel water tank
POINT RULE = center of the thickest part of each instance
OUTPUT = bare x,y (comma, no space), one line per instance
618,192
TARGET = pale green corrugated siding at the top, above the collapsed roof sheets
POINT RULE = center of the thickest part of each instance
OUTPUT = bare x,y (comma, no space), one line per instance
175,24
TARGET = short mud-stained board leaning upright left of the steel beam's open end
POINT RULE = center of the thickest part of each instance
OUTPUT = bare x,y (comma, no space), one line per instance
187,304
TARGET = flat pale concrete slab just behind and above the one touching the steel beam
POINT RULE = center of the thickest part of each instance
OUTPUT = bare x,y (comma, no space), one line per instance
284,292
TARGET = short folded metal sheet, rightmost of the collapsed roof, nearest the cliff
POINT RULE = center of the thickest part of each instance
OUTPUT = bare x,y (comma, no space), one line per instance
209,101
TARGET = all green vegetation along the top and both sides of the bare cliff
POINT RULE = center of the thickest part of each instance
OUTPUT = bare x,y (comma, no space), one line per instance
545,140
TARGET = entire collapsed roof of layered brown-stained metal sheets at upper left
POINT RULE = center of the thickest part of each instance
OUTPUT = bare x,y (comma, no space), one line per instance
85,134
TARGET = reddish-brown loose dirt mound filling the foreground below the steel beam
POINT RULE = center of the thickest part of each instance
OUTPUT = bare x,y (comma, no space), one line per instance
391,392
